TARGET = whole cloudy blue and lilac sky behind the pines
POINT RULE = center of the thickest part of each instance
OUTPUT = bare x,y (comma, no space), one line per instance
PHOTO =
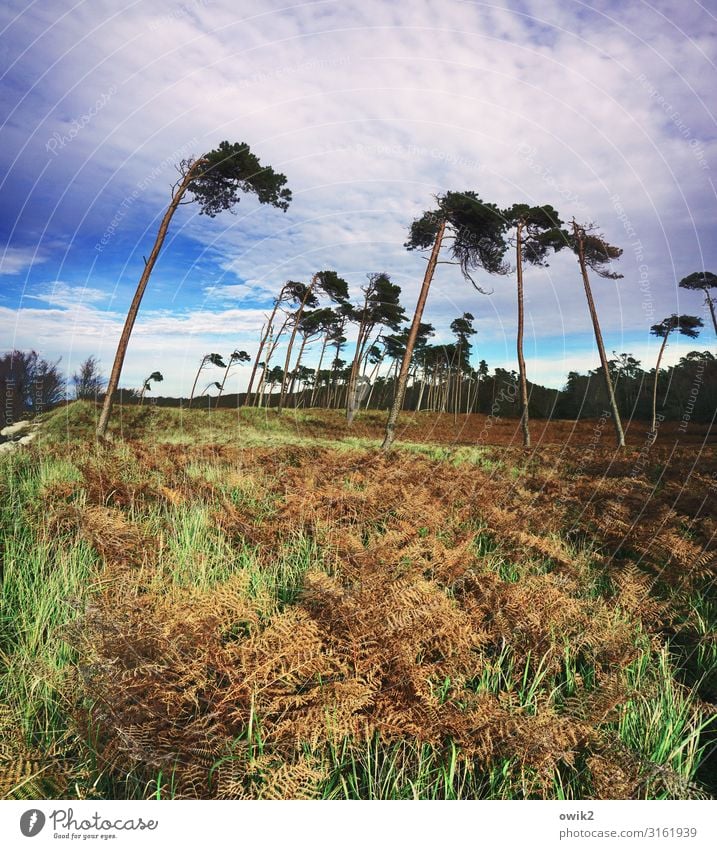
603,109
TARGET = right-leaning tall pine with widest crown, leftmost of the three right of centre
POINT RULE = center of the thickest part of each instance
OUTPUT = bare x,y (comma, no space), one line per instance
477,231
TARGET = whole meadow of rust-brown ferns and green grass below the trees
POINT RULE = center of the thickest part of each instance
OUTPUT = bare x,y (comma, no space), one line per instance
260,605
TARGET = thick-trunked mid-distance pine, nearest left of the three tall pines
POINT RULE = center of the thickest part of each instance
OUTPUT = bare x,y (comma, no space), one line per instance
381,308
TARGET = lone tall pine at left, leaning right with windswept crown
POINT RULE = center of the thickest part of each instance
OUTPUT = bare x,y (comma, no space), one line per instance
216,182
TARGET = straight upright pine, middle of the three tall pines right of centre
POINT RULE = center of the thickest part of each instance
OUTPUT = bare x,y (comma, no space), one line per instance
537,231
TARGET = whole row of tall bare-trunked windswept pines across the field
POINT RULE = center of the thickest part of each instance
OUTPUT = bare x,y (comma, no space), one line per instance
479,237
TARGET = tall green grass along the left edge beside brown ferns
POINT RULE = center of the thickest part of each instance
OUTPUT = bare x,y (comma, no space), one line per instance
46,579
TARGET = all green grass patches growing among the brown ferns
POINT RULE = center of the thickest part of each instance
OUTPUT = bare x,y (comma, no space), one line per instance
50,575
